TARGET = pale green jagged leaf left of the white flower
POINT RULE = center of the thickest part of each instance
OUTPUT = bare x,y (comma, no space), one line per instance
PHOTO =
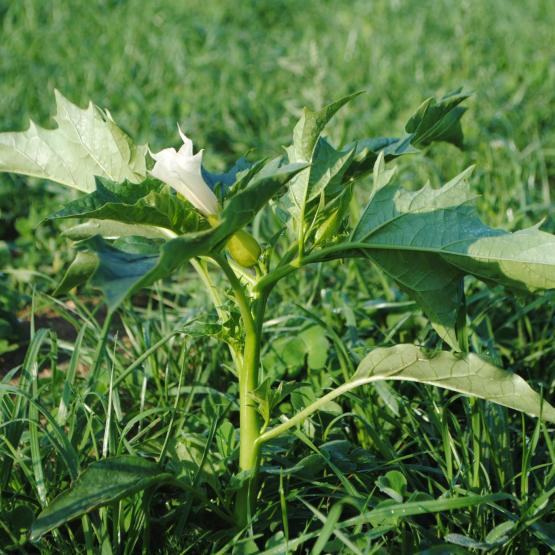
86,143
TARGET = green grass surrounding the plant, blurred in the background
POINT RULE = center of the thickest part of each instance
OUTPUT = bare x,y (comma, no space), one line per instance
375,473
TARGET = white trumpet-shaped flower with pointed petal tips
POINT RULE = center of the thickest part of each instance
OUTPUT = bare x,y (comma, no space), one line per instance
181,170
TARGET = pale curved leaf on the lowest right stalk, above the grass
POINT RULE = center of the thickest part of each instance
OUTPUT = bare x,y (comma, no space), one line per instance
468,374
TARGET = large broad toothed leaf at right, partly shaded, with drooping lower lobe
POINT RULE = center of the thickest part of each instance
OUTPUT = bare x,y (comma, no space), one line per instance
429,239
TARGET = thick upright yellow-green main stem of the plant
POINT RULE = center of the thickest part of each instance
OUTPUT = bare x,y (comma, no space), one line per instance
249,426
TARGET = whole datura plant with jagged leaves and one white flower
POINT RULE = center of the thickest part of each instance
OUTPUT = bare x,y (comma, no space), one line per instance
144,215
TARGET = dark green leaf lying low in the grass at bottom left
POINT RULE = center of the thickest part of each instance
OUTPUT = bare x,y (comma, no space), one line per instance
103,482
